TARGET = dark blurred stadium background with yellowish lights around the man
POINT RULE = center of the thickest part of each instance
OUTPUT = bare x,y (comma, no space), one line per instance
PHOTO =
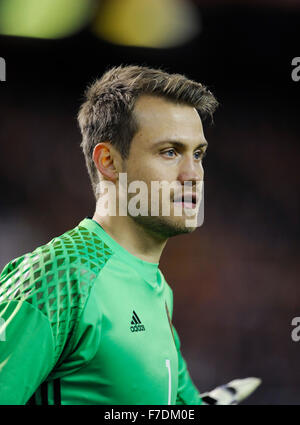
235,279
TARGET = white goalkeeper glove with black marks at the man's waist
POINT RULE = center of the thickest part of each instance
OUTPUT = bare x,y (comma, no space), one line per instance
232,393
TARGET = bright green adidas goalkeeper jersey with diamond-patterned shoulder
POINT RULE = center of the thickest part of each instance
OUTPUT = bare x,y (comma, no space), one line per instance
83,321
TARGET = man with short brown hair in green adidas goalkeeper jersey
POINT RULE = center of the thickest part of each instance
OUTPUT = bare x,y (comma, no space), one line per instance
86,319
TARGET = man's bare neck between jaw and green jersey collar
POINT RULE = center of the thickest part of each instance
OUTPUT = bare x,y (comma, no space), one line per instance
133,237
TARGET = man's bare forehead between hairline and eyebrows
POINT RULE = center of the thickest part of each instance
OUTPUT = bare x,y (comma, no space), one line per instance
159,118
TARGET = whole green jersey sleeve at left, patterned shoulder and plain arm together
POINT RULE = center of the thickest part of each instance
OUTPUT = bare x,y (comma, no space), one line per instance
42,295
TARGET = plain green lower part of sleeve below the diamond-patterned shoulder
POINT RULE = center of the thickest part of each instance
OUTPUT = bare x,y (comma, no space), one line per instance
26,351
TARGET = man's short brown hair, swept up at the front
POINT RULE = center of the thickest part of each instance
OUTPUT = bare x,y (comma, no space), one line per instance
107,111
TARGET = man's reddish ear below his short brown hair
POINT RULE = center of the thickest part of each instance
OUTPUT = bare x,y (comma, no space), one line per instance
104,159
